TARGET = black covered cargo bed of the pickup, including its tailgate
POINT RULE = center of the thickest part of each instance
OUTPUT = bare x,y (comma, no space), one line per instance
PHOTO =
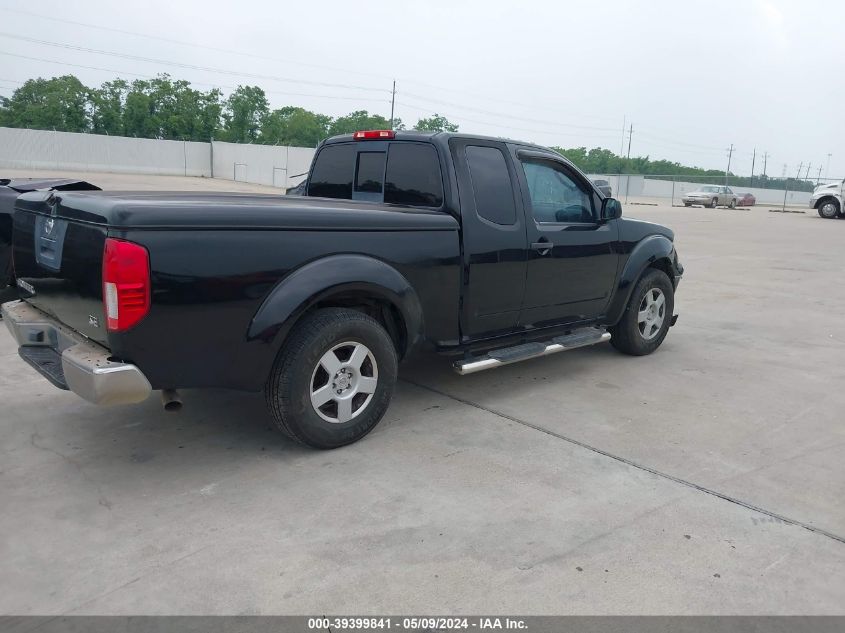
214,259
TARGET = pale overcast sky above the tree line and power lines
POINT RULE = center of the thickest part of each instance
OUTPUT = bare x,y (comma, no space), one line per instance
692,77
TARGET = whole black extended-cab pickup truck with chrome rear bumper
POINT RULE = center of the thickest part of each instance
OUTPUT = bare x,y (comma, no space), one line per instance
488,250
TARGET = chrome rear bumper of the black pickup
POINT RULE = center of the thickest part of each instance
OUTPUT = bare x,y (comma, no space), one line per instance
85,366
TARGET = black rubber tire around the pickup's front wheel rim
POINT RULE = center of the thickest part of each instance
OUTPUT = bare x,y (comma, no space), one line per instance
626,336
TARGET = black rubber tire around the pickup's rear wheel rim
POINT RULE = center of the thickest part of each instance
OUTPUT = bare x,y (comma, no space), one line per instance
298,368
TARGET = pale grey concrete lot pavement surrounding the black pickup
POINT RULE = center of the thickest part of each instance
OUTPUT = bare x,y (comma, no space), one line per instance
706,478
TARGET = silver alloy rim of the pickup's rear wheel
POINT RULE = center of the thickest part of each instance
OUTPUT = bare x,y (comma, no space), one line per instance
343,382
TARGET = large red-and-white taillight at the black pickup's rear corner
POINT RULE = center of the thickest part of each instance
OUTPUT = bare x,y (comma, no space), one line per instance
126,284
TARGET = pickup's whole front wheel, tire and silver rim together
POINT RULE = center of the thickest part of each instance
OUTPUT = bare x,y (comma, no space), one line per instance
647,317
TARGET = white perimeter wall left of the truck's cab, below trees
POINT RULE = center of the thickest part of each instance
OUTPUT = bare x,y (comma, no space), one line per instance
276,166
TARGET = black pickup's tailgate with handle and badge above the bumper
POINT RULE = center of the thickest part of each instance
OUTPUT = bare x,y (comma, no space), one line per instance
58,261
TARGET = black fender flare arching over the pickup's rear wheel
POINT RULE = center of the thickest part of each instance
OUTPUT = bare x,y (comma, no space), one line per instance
322,278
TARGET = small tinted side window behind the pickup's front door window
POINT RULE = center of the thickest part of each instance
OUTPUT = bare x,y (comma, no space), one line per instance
491,184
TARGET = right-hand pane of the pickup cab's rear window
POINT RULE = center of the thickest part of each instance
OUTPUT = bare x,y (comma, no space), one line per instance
413,175
